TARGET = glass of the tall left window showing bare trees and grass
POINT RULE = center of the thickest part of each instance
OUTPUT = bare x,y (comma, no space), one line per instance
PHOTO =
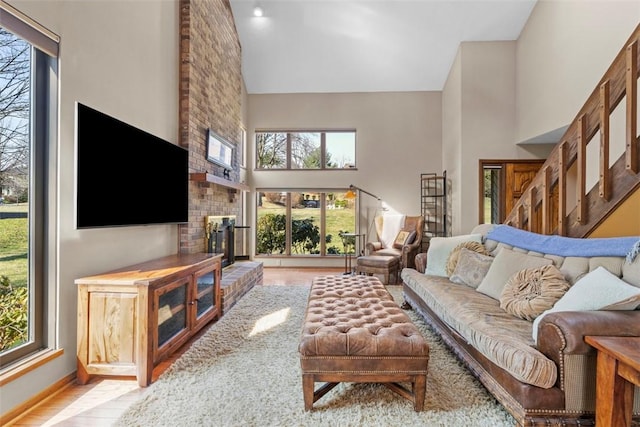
15,73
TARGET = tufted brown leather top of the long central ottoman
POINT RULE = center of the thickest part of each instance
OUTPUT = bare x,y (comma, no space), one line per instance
357,317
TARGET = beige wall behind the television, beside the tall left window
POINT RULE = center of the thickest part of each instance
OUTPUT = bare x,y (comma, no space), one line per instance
120,57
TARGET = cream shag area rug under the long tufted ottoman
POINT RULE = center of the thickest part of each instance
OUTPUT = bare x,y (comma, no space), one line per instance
245,371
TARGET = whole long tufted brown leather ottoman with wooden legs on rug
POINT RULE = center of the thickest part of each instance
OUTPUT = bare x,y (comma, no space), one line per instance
354,332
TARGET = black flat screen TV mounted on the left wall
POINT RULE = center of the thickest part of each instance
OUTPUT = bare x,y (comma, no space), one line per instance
126,176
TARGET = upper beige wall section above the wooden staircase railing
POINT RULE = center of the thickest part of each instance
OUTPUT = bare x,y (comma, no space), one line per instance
563,51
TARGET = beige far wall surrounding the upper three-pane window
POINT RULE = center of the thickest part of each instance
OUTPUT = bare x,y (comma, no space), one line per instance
398,137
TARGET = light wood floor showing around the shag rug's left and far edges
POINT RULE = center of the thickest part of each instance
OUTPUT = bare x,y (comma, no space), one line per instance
100,402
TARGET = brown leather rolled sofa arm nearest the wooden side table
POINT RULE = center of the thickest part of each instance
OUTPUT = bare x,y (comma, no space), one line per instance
562,333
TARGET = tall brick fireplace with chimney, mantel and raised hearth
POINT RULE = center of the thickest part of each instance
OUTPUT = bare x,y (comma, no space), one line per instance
210,94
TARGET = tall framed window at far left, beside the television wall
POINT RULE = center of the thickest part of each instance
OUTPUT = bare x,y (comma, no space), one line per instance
28,95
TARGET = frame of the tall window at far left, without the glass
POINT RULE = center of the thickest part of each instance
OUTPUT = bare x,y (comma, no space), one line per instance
42,189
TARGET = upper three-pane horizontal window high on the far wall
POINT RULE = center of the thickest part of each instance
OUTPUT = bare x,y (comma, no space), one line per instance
306,150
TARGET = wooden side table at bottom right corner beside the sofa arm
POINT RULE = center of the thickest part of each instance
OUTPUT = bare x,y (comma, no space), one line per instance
618,371
